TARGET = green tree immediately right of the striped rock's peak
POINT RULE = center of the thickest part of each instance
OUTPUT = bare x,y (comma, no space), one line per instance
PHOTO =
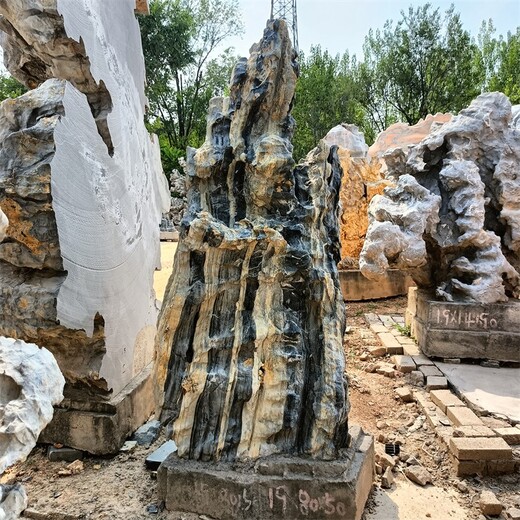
325,97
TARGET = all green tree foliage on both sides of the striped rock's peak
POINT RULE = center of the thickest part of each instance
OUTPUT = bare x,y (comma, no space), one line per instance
425,62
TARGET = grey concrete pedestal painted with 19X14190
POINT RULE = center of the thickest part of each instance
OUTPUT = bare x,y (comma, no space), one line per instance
464,330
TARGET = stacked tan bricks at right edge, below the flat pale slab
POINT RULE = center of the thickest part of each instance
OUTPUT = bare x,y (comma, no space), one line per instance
474,447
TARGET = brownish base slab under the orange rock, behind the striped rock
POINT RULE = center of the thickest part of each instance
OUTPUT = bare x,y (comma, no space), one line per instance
355,287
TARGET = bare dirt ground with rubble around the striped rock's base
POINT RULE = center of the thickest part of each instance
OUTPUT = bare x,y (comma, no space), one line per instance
121,488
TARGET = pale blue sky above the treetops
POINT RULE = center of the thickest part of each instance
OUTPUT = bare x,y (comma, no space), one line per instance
340,25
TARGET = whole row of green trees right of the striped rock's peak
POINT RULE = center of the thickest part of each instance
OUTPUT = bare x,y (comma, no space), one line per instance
424,63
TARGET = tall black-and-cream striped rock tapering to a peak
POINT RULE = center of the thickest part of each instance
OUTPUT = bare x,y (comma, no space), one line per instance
250,342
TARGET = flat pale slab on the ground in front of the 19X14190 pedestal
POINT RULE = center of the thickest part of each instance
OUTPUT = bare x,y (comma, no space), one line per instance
491,390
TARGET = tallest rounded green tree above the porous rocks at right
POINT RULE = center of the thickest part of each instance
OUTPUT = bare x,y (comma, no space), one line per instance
425,63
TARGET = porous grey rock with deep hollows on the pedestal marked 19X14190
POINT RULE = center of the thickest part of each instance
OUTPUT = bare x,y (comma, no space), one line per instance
453,219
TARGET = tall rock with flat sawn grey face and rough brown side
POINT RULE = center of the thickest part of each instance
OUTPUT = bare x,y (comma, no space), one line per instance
82,186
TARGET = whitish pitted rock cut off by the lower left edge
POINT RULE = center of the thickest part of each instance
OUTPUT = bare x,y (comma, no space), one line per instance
30,384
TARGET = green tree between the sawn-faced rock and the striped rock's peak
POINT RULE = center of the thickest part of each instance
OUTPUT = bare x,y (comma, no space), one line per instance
180,40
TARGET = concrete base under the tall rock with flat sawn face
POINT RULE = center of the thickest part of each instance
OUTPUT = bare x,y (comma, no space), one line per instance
101,428
